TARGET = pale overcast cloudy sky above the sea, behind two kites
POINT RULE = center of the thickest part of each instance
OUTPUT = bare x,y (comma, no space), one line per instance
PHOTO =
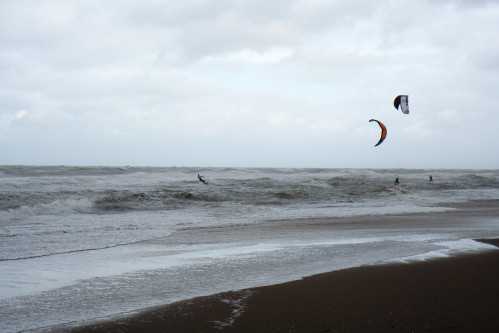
281,83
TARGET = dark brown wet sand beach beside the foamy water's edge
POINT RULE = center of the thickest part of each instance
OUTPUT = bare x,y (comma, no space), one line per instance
457,294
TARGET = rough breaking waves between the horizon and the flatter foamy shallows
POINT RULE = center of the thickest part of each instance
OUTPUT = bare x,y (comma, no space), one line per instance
33,191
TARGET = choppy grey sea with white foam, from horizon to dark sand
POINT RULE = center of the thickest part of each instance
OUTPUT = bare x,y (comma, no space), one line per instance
81,244
